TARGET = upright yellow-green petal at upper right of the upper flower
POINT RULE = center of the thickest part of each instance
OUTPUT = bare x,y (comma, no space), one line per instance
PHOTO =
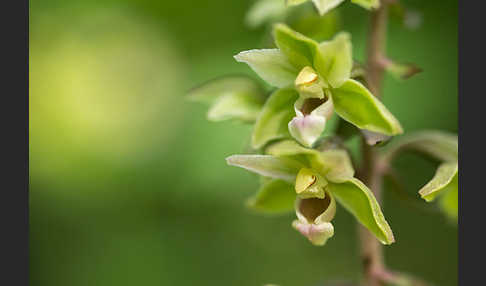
336,60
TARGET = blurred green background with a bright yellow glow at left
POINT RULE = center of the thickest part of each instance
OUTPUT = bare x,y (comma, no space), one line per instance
128,183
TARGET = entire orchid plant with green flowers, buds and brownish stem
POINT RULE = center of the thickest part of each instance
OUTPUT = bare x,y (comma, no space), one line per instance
305,167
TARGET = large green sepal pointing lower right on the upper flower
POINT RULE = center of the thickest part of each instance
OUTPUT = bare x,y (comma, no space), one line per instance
354,103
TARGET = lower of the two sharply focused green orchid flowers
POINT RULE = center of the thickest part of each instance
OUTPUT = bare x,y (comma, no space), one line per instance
318,178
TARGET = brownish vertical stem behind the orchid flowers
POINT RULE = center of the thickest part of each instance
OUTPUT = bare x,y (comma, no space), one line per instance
371,249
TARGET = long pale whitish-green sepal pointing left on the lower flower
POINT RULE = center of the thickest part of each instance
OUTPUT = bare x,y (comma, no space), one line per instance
267,165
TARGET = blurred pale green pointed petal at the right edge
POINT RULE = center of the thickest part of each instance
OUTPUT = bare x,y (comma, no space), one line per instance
444,179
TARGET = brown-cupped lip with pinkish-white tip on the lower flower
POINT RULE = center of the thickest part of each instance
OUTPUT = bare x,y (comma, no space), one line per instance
314,216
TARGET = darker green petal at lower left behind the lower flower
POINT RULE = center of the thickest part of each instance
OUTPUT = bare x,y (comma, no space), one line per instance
274,196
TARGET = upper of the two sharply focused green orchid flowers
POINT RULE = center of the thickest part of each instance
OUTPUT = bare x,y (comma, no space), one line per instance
320,73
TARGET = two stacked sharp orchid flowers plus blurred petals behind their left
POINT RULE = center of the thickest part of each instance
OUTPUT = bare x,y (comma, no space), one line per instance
300,172
